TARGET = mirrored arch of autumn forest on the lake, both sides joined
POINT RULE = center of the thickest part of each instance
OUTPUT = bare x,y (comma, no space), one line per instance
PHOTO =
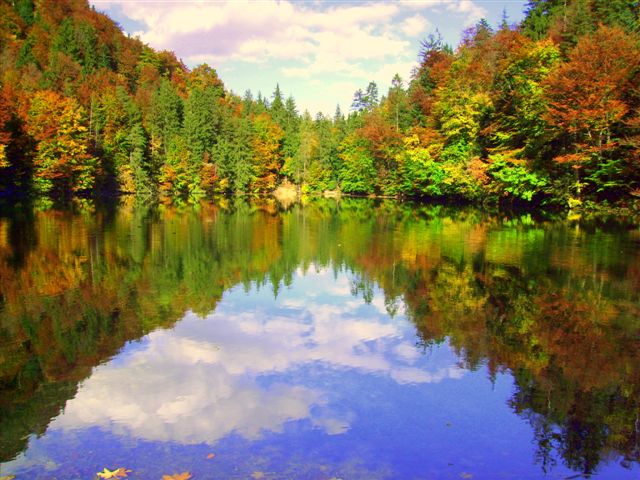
545,301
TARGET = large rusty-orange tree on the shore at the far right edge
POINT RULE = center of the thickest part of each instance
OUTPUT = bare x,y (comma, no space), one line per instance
587,105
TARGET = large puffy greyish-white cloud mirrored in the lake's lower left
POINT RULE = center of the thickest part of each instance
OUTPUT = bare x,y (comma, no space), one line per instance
179,390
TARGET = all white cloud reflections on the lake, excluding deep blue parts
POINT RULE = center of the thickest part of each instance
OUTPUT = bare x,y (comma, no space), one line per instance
230,373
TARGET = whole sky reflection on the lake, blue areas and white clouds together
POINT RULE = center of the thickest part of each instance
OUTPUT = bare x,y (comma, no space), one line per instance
315,384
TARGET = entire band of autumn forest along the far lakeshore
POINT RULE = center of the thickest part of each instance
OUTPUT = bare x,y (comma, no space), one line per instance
547,111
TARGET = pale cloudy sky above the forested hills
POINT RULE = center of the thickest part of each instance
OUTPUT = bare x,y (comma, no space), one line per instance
318,51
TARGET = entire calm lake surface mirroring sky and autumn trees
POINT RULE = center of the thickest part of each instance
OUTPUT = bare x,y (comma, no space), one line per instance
332,340
